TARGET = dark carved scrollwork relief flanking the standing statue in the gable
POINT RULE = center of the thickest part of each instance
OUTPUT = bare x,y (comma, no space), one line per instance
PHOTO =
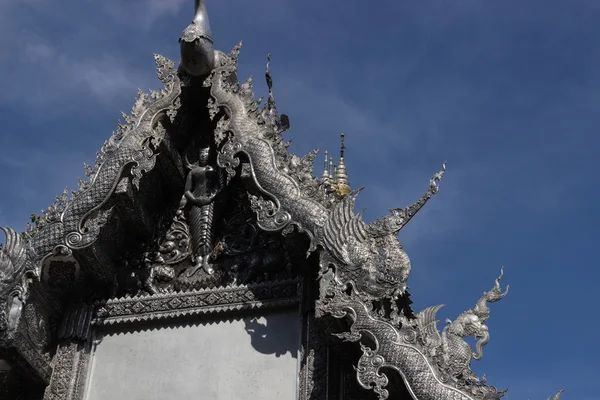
240,253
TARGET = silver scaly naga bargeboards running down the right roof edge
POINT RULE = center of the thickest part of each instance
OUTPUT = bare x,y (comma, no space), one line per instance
364,269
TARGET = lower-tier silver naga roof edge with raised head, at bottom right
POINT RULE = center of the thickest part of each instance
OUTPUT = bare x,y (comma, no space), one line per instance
433,366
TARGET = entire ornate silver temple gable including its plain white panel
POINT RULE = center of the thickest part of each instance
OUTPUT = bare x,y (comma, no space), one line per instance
200,259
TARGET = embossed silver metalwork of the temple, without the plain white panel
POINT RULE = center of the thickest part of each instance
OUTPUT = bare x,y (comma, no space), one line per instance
272,199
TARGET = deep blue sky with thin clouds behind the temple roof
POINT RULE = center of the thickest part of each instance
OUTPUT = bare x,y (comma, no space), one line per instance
507,92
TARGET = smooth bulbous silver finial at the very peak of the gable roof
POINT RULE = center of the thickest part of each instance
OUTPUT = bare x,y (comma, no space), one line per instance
197,51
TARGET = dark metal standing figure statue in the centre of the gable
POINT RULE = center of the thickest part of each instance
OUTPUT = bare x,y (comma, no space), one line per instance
202,185
